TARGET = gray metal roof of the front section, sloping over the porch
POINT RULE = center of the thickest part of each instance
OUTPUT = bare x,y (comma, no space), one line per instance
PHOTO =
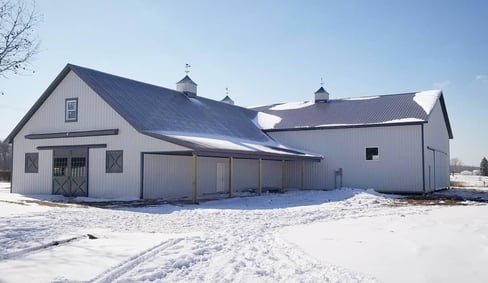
173,116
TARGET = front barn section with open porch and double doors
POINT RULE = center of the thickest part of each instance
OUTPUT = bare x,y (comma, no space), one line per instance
99,135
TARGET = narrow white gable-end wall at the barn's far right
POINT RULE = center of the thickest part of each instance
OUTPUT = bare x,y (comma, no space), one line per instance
436,137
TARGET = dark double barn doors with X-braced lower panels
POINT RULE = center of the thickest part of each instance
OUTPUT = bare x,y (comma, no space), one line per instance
70,171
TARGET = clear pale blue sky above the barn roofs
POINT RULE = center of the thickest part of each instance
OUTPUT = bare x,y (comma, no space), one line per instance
274,51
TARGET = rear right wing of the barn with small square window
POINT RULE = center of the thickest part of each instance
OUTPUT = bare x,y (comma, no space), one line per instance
392,143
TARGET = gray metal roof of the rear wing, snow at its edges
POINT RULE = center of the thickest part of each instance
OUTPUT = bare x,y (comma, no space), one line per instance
353,112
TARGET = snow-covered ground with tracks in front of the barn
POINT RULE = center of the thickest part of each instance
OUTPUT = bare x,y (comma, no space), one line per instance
345,235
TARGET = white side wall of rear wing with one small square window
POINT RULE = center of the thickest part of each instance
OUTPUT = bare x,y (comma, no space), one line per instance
399,168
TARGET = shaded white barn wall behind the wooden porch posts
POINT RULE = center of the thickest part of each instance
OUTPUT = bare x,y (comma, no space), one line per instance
170,177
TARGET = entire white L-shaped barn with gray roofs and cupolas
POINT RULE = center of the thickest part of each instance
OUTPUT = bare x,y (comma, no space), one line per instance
99,135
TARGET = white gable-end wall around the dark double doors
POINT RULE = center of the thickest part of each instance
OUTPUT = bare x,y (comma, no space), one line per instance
93,114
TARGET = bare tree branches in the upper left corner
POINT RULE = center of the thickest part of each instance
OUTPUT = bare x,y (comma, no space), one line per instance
18,43
